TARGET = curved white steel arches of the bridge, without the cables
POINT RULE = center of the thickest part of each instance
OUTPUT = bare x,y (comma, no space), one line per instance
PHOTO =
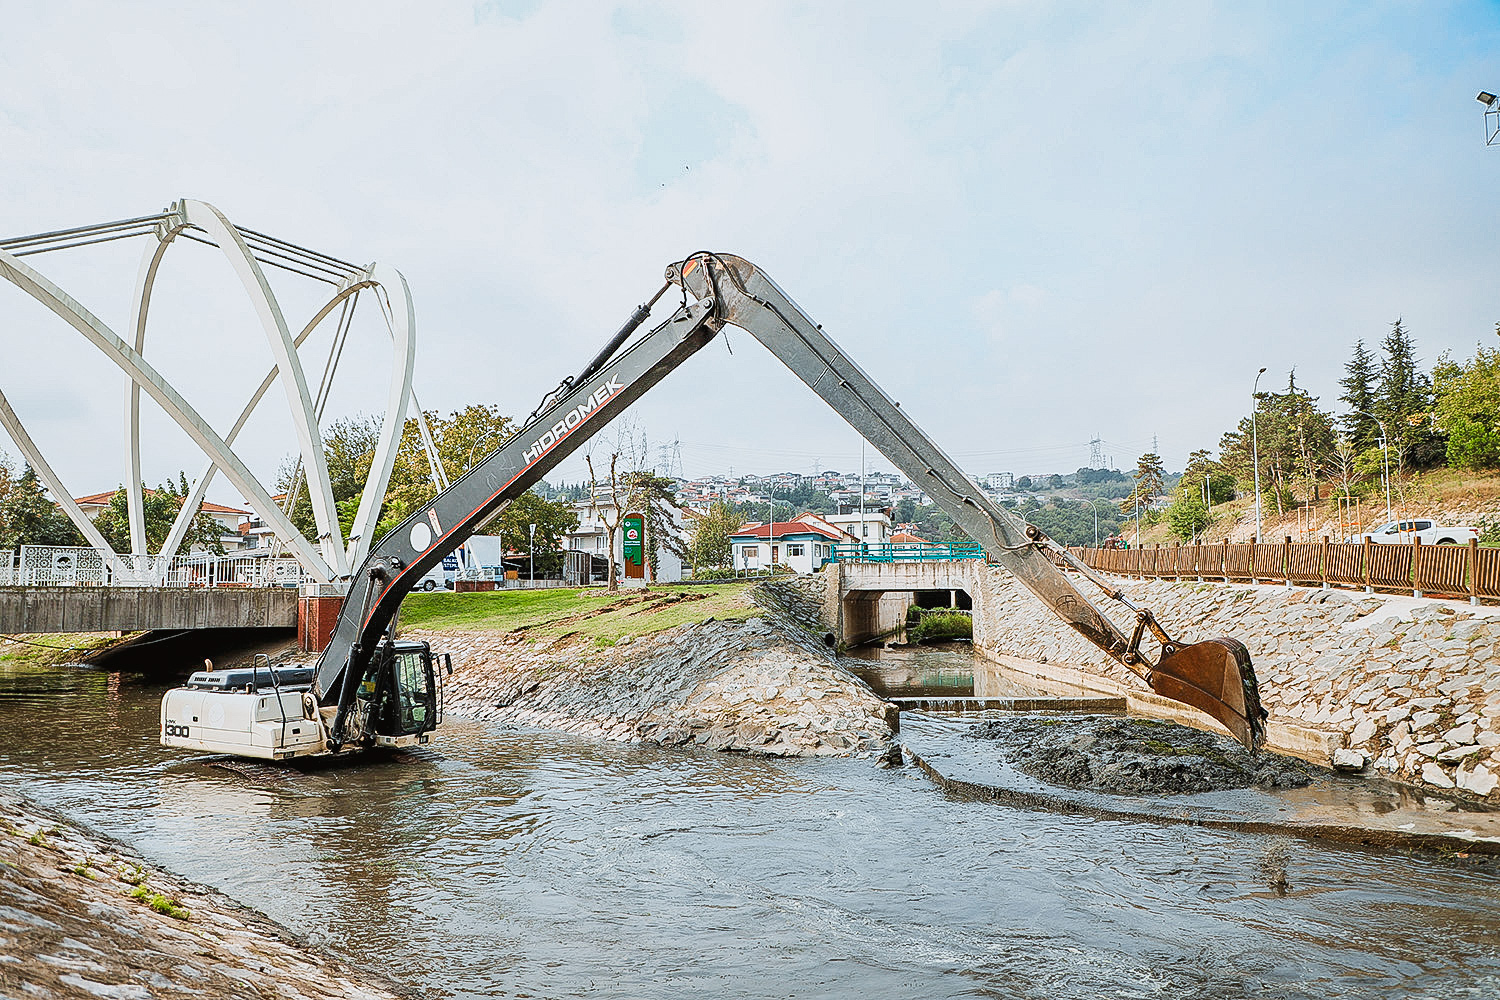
328,563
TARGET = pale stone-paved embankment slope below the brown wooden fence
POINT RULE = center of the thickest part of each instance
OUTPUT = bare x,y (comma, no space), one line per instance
1411,684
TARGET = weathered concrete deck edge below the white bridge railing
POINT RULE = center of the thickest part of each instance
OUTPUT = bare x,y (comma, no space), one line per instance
82,609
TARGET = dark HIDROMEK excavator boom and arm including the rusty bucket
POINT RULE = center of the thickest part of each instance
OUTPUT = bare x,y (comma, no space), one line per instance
718,290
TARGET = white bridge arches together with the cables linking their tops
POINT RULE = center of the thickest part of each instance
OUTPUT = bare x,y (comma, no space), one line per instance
247,251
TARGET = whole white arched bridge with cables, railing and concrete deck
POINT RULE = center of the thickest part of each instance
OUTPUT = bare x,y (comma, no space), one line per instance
323,563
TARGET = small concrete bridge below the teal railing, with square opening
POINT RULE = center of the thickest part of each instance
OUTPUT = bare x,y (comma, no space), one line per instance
869,600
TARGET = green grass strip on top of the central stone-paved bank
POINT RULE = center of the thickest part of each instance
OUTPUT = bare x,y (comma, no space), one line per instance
595,614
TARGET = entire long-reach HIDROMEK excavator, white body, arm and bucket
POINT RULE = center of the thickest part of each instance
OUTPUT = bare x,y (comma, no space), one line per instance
371,690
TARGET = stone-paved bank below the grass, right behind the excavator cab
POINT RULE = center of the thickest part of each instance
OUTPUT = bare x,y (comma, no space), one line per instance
764,684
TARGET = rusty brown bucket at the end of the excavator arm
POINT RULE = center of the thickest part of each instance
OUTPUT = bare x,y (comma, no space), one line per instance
1216,677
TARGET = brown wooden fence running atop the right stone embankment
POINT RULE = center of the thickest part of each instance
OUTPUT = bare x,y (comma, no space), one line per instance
1417,569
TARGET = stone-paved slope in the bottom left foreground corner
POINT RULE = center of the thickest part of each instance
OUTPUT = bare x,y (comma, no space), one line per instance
82,917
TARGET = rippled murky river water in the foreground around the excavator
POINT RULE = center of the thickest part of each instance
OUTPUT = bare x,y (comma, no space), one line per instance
523,864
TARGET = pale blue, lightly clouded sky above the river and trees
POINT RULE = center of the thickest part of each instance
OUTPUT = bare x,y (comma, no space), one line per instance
1033,224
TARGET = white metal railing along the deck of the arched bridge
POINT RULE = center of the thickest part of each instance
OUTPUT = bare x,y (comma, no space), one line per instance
85,566
